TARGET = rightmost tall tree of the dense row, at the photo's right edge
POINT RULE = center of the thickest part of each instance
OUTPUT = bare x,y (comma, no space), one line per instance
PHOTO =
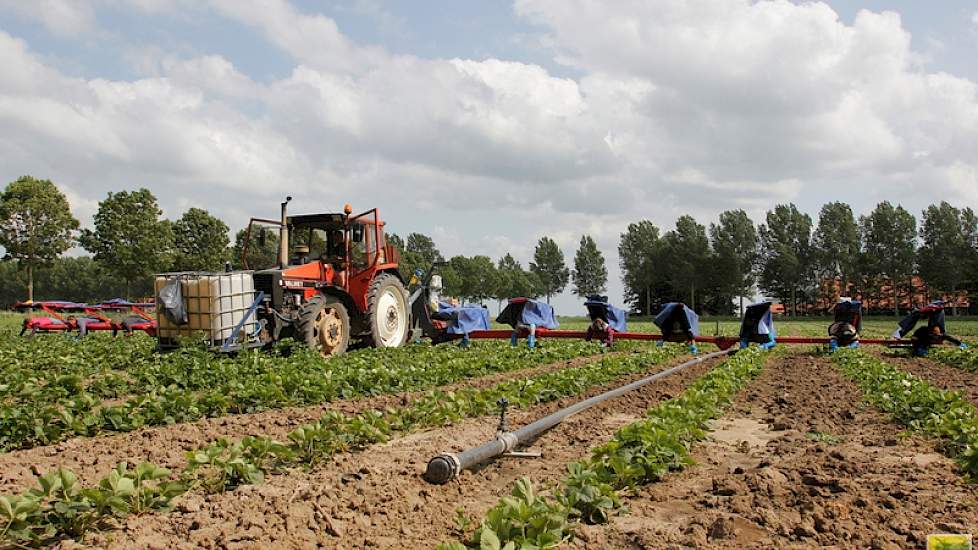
946,253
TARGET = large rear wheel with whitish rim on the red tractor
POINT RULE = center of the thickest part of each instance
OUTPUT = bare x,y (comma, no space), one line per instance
387,314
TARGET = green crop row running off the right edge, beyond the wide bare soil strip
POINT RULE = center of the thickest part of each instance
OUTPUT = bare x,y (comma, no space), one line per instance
917,404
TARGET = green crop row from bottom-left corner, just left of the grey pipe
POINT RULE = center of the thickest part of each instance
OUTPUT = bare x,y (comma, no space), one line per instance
38,516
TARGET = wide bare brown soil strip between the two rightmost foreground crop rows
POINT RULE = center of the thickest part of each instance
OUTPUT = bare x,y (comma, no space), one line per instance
799,462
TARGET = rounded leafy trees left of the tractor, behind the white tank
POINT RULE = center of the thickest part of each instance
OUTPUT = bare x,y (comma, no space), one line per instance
128,243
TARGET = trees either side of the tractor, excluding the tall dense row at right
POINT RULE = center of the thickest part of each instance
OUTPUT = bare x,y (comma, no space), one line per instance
130,241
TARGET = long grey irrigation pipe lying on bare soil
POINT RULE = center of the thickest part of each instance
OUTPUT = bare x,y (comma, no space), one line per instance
446,467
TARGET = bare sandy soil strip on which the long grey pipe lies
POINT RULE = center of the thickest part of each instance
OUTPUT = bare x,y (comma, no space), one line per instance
377,499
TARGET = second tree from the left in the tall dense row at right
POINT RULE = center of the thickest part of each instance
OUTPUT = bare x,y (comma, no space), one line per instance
685,257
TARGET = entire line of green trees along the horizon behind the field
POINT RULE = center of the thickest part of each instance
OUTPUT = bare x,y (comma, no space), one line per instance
885,254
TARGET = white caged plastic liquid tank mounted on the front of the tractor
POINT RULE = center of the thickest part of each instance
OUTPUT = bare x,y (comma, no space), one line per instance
215,304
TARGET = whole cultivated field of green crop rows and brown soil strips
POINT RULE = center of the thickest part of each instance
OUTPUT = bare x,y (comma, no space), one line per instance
803,450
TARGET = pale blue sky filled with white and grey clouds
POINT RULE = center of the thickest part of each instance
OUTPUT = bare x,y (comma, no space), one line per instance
488,124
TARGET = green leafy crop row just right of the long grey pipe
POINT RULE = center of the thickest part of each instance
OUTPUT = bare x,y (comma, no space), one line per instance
640,453
